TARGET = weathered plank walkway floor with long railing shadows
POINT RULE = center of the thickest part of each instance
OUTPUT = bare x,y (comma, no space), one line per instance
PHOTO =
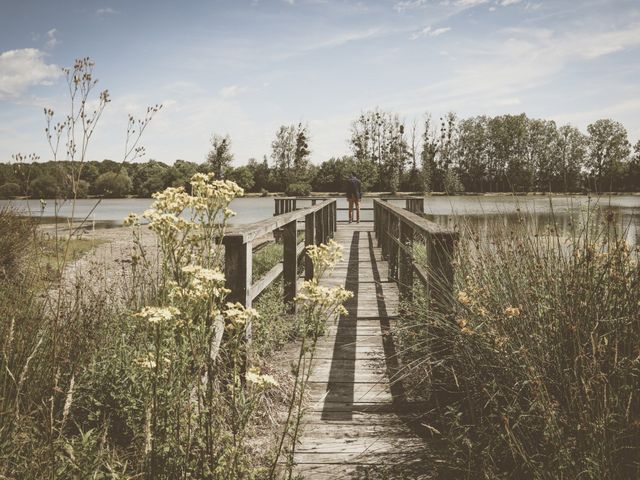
355,427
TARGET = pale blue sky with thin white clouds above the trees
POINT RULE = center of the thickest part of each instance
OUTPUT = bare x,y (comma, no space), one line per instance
245,67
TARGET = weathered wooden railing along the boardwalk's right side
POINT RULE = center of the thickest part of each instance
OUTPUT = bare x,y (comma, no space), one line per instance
397,231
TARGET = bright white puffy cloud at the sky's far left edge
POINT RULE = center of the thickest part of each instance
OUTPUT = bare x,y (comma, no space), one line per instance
20,69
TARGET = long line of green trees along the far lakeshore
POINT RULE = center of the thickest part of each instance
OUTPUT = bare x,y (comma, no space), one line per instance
506,153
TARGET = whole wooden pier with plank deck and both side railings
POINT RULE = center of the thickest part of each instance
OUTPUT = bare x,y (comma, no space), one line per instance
358,424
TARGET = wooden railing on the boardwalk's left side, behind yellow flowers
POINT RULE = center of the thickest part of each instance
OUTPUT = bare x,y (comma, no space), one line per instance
319,225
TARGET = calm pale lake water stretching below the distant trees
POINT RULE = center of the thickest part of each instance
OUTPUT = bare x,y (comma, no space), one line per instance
484,212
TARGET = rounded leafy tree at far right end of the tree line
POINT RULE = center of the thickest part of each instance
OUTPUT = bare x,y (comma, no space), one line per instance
608,148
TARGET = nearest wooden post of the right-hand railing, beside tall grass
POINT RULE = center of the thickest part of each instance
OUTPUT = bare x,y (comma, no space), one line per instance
439,258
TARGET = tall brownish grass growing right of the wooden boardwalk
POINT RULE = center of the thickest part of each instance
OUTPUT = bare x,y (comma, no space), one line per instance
536,374
